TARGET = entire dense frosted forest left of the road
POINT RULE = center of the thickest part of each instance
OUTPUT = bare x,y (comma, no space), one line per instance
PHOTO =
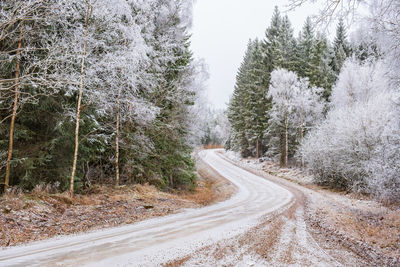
95,92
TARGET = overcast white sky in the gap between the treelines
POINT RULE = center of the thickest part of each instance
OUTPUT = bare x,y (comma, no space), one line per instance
221,30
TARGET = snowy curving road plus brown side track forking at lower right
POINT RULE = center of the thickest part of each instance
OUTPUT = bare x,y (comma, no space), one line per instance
262,225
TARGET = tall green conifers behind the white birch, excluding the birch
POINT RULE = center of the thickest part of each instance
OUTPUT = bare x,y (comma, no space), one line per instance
253,134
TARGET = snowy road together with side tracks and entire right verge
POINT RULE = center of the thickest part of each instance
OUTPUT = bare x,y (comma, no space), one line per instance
269,221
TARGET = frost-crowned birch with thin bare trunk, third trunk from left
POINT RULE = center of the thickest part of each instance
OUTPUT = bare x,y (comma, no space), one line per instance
122,70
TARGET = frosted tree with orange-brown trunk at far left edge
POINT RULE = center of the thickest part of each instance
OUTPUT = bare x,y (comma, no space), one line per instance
27,54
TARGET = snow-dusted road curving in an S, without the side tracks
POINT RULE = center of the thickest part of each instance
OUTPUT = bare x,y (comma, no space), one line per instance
160,240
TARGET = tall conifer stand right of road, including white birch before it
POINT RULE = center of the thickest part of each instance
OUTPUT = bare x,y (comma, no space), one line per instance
316,63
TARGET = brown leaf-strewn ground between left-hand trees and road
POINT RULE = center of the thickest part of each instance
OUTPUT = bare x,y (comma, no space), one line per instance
39,215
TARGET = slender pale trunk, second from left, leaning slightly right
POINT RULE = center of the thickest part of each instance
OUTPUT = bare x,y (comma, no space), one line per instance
78,109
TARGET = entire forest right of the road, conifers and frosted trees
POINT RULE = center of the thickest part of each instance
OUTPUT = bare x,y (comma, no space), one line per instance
330,106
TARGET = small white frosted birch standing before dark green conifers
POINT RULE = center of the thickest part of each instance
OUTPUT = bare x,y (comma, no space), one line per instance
295,107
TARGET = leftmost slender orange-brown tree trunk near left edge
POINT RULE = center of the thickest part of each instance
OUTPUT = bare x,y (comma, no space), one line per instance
14,111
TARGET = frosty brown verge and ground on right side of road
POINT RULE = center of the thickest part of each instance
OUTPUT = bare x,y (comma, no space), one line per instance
367,228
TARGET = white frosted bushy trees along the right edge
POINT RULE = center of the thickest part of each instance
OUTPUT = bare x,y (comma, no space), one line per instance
357,147
